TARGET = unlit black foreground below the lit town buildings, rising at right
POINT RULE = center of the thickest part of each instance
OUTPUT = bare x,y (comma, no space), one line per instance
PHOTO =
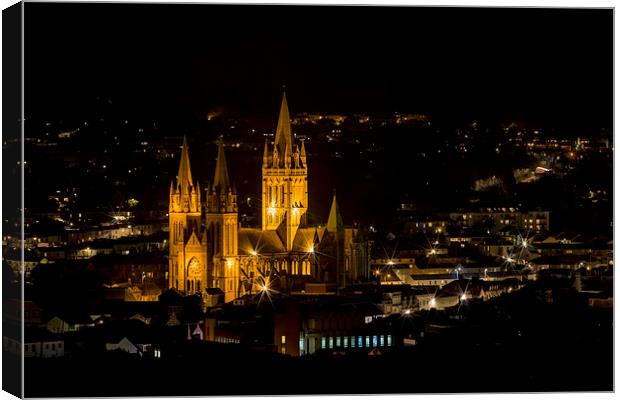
554,349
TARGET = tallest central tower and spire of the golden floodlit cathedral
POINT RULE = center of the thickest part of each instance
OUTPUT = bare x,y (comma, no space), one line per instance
285,182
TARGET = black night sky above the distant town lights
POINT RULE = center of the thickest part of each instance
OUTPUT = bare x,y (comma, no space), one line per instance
549,66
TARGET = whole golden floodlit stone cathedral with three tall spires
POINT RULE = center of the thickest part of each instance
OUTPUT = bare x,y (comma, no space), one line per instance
210,250
